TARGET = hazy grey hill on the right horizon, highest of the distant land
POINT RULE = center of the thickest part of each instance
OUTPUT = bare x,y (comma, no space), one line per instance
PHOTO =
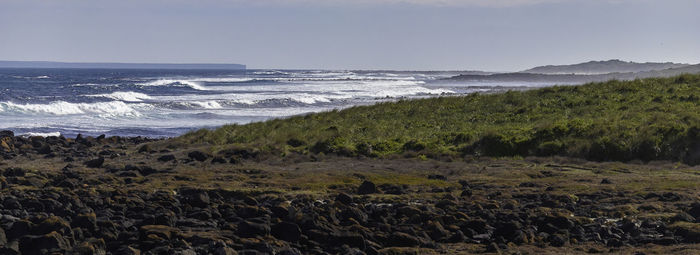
603,67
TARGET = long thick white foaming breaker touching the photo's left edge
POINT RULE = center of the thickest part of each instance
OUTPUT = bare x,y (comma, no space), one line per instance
104,109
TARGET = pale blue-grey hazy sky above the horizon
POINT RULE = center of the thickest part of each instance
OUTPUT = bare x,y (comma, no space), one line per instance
491,35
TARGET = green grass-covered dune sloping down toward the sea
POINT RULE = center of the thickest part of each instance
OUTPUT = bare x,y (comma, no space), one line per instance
648,119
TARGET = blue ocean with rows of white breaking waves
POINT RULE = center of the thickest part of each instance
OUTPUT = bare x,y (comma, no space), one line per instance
167,103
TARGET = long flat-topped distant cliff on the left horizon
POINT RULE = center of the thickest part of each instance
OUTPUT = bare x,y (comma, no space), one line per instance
49,64
